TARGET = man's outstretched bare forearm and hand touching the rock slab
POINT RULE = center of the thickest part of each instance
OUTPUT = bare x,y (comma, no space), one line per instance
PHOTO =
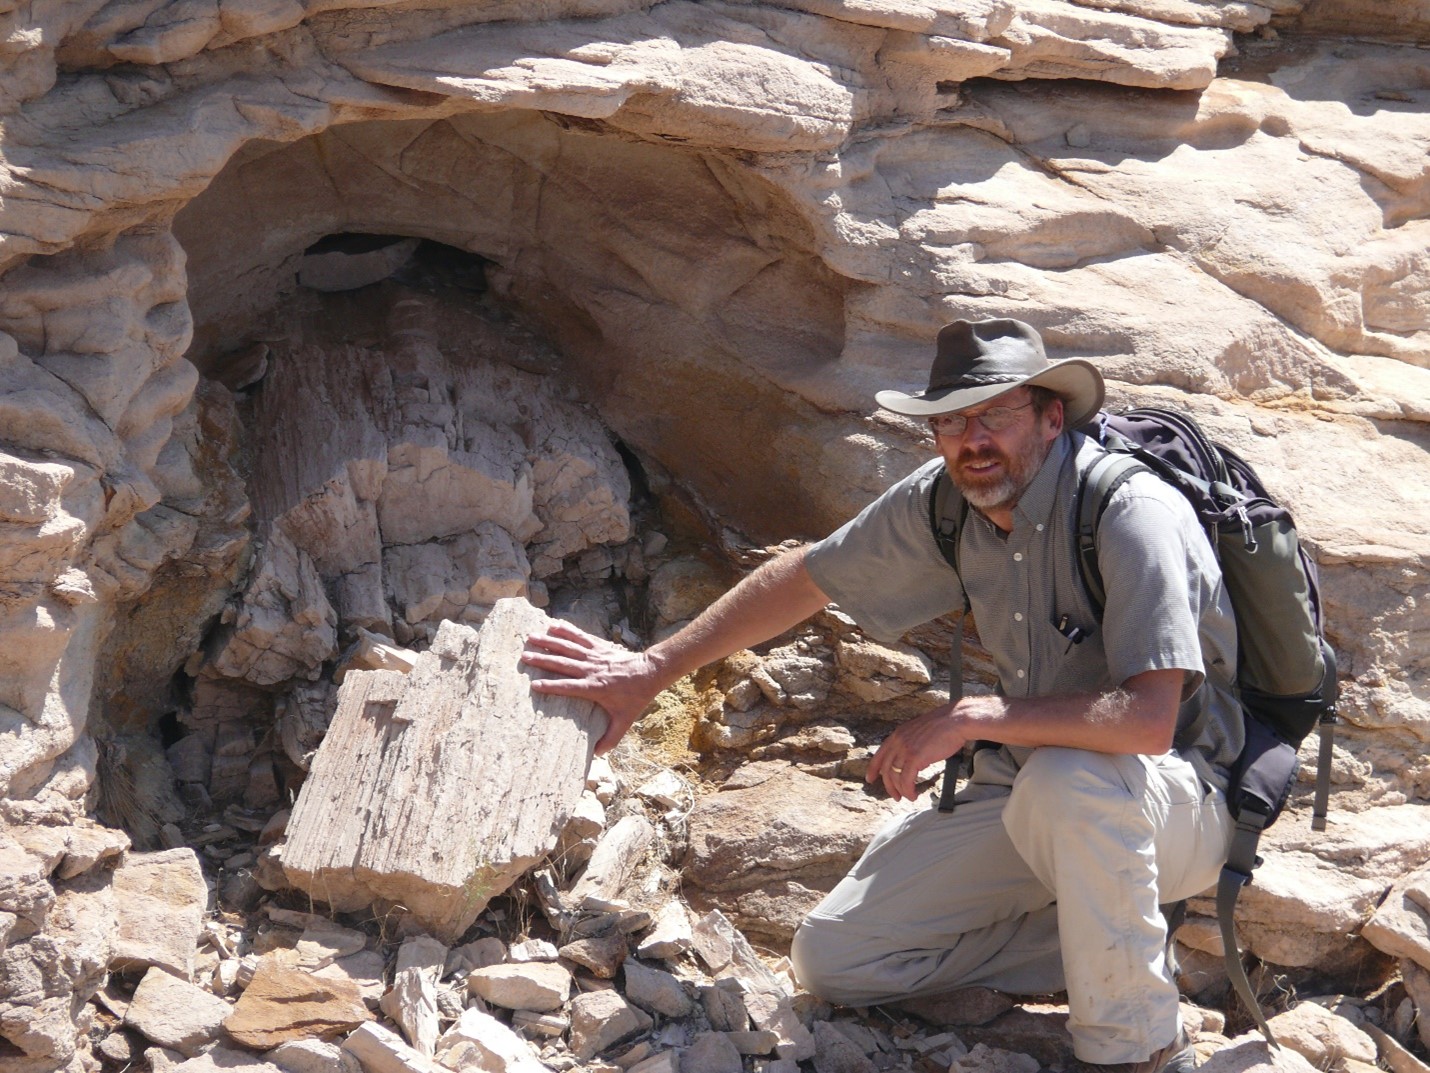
779,596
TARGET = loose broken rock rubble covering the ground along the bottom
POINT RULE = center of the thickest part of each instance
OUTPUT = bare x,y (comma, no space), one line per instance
601,966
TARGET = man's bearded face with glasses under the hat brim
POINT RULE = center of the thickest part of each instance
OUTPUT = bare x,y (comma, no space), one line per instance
993,469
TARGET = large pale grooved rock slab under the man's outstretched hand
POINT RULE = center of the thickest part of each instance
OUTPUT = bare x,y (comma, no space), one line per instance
450,748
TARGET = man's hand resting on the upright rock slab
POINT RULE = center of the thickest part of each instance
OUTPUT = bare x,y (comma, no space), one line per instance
621,682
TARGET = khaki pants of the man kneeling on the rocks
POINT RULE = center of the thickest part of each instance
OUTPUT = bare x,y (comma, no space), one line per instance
1043,879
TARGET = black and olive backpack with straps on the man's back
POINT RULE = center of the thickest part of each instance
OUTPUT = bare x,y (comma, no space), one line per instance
1286,672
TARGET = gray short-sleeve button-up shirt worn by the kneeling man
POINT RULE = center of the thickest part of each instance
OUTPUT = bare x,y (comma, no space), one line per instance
1166,604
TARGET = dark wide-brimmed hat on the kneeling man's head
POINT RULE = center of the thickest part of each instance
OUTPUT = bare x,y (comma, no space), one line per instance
979,360
